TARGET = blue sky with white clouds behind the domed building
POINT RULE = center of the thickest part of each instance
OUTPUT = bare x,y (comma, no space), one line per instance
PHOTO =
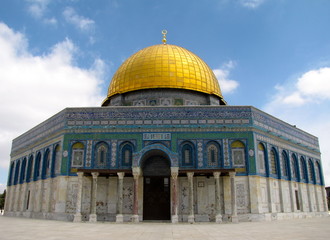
271,54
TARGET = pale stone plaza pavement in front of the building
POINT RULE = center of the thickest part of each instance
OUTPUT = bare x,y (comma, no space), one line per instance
31,229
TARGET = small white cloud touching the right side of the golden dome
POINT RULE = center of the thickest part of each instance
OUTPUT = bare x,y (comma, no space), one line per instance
227,85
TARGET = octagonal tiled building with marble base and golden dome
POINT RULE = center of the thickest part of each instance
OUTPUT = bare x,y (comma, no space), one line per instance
165,146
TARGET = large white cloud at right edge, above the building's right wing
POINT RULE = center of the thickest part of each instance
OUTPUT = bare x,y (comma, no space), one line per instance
305,103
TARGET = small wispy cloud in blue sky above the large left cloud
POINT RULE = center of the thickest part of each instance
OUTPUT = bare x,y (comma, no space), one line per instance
80,22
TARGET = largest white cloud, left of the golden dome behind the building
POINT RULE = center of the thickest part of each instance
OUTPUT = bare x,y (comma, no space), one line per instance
33,88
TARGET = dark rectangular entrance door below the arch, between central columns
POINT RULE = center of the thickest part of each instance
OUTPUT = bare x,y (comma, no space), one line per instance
156,198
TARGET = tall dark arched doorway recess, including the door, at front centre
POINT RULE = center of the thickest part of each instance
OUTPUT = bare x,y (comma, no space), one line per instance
156,189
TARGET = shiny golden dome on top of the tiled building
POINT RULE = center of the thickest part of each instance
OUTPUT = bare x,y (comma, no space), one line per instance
164,66
